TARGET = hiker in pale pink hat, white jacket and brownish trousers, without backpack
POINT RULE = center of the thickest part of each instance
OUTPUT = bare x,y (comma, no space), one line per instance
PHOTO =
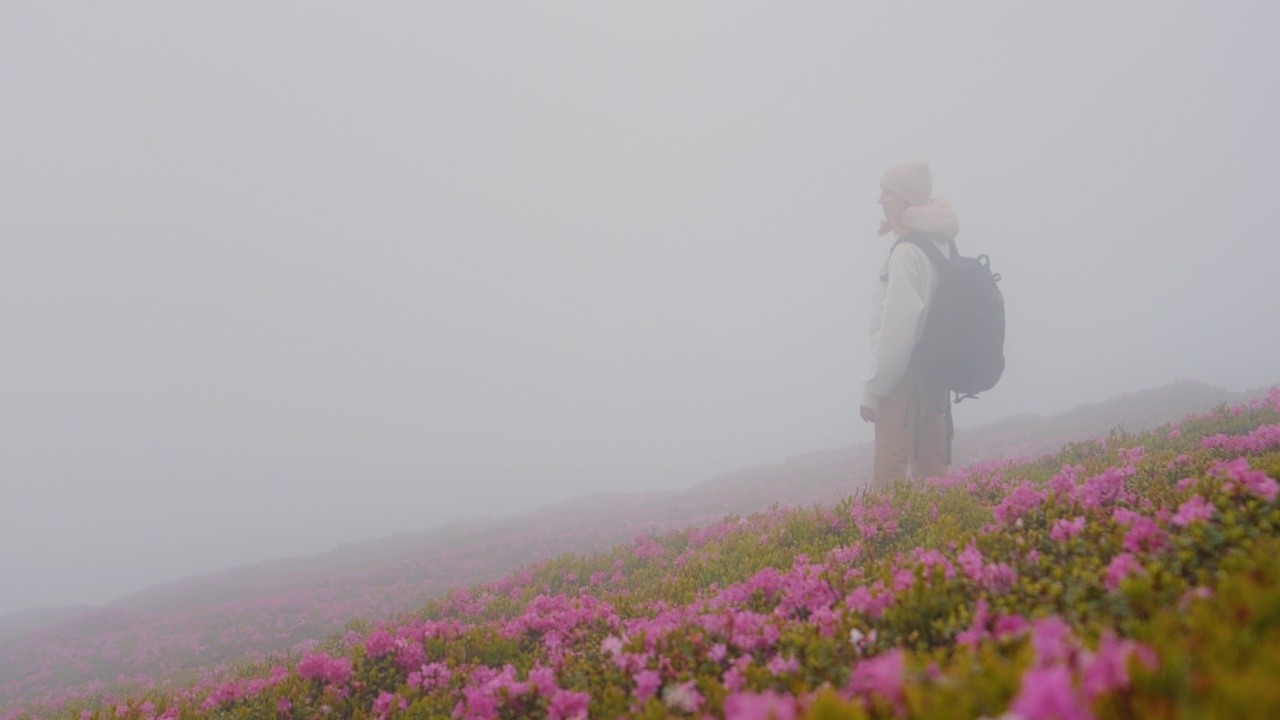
911,413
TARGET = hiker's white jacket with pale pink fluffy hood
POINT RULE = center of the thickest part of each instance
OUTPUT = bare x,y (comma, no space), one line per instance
907,284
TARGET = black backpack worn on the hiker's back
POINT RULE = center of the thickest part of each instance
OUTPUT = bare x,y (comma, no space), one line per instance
963,343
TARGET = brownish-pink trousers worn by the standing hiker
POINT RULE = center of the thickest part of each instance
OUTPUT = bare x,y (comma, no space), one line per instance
912,432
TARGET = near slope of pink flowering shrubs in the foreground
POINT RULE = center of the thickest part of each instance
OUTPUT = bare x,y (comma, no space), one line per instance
1130,577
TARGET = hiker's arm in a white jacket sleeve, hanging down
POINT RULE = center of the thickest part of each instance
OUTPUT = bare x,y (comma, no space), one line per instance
904,304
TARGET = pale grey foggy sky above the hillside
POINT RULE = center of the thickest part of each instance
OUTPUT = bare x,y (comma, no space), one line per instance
281,276
